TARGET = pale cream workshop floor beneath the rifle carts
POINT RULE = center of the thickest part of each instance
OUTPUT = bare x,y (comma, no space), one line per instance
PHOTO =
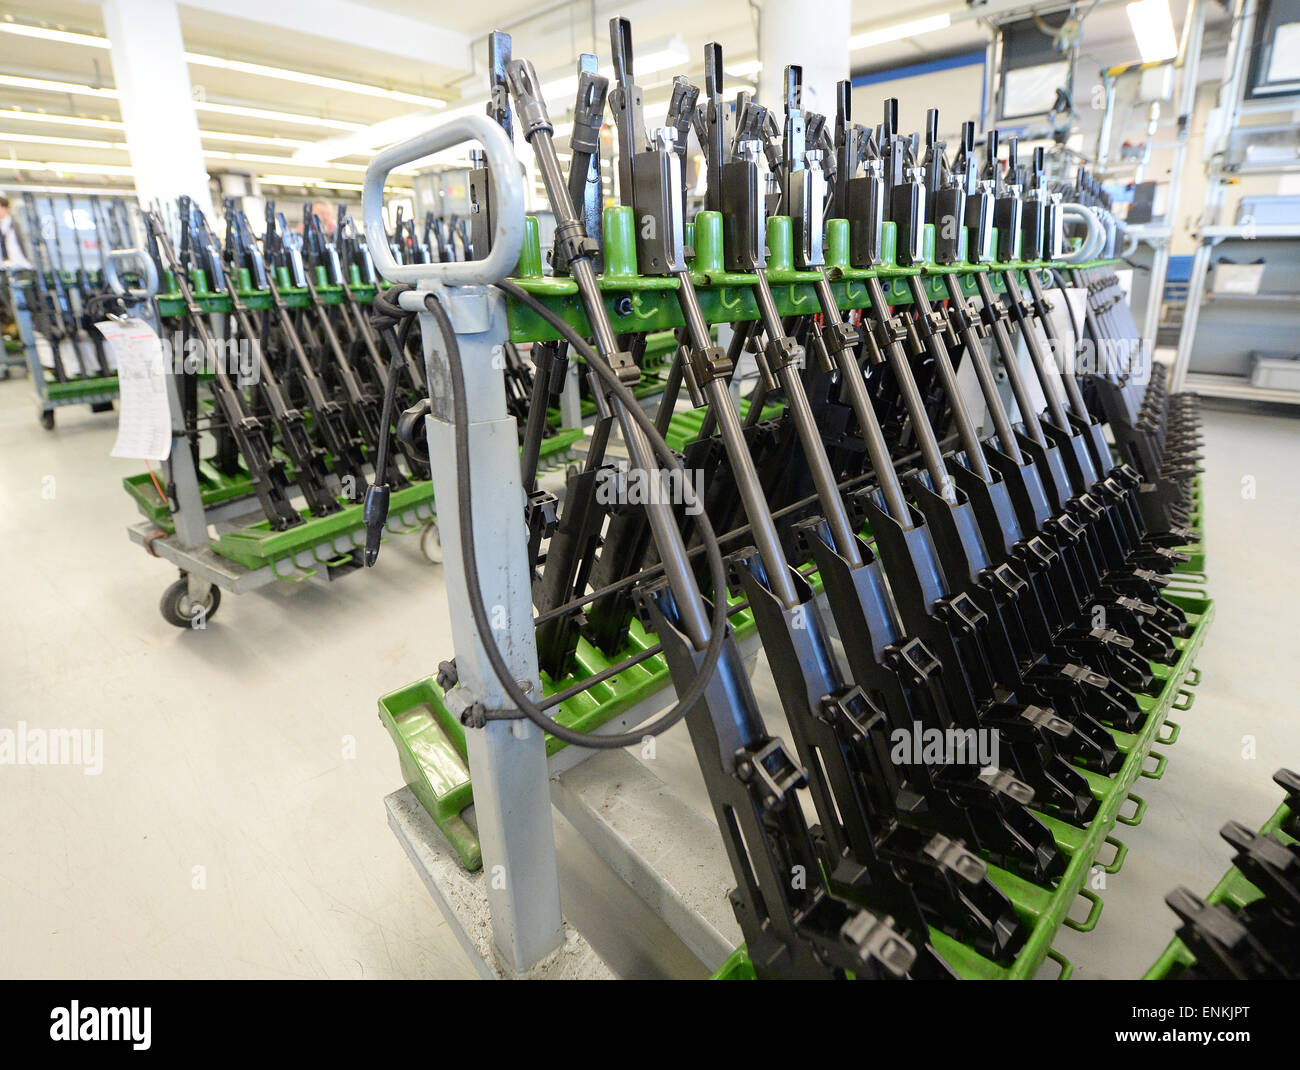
253,750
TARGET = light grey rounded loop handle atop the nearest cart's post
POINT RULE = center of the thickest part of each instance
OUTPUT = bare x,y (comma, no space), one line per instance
508,198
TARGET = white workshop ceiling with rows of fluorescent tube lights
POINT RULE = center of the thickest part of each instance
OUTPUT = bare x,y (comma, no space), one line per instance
431,51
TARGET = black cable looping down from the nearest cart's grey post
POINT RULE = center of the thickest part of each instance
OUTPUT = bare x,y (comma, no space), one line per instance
465,504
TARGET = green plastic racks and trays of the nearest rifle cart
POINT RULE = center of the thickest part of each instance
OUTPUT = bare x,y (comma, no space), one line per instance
431,740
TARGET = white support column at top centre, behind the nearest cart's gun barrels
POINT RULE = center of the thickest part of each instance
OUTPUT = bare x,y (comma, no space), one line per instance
814,36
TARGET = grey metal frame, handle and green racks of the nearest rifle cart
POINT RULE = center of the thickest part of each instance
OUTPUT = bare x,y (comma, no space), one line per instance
506,913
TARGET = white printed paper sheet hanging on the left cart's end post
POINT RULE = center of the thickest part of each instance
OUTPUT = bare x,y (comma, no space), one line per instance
145,418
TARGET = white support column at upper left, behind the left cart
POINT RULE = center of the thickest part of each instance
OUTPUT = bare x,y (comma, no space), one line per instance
157,101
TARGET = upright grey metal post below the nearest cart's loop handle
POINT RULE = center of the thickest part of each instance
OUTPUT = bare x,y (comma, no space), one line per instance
508,760
